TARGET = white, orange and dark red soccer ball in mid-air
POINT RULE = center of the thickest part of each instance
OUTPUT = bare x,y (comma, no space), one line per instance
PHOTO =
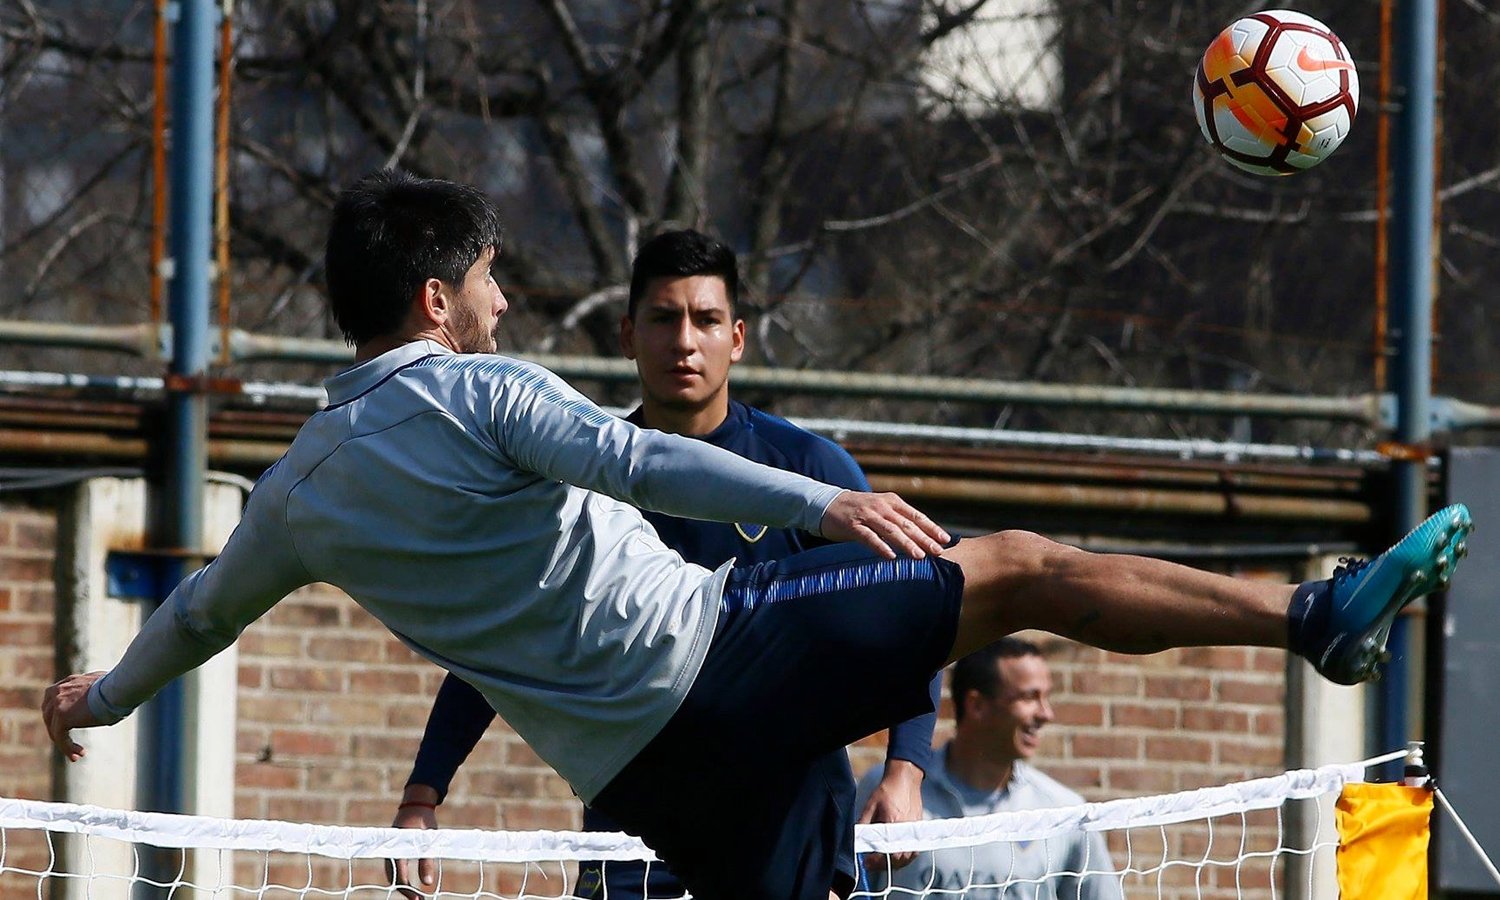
1276,92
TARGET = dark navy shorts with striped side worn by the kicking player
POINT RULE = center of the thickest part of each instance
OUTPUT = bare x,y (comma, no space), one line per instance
748,793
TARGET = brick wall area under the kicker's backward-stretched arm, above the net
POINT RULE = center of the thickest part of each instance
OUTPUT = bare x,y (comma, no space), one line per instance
332,710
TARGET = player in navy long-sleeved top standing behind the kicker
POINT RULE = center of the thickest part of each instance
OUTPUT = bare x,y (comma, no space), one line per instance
683,331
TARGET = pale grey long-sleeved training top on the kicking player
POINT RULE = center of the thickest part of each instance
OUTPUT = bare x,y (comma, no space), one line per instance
484,511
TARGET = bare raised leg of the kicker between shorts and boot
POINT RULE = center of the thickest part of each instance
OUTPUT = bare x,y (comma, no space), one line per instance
1016,580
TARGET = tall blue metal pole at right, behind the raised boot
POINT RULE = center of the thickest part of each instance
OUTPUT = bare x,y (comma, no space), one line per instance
1411,281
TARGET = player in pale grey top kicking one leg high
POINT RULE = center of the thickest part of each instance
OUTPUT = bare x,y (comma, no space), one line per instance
487,514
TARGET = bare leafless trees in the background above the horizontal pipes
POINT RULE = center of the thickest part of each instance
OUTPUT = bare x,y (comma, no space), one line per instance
998,188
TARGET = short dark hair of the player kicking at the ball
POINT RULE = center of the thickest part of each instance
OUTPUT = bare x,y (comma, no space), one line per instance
391,233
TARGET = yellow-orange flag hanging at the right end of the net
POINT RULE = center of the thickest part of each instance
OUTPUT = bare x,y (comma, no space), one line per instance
1382,842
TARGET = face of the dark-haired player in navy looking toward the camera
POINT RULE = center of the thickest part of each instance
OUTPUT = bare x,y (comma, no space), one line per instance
685,340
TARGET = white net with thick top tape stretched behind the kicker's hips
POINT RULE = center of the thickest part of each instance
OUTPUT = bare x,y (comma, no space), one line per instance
1238,841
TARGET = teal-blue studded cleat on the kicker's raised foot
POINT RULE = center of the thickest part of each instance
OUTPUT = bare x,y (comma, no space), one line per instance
1364,598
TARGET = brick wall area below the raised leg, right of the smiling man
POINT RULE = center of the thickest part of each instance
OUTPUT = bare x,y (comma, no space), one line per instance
1172,722
